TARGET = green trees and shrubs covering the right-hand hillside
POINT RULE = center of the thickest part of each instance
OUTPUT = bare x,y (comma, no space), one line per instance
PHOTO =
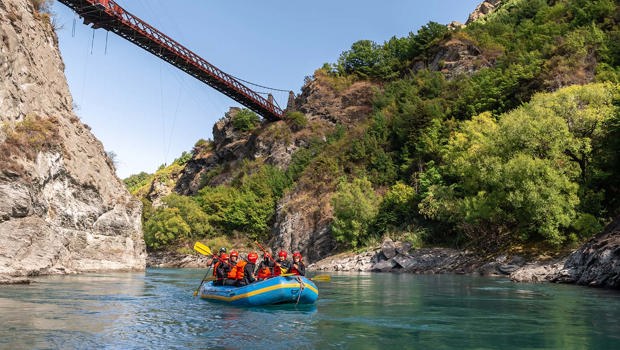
520,147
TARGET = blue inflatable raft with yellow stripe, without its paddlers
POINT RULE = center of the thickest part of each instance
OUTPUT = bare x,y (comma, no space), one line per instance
275,290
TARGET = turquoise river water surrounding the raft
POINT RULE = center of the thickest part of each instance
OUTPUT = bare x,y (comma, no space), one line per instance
157,310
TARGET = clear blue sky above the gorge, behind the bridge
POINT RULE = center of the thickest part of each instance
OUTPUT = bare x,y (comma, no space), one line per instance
148,112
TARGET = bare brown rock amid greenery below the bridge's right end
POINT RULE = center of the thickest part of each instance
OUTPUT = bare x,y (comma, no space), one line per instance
304,214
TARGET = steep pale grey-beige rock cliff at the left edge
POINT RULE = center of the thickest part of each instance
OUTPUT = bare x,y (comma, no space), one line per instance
62,209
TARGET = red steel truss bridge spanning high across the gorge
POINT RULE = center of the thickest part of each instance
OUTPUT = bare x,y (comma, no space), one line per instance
107,14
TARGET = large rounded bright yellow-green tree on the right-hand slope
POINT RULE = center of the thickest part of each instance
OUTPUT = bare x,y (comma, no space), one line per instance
508,177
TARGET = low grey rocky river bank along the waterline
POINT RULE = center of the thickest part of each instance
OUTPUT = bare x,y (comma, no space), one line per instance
596,263
